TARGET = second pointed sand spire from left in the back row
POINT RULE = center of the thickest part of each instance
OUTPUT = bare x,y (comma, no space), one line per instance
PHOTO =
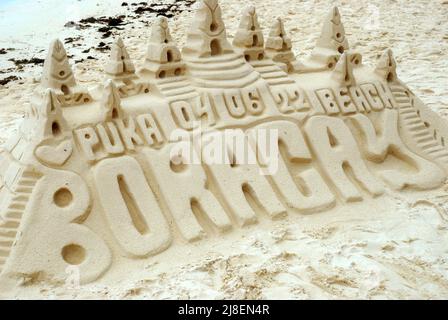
120,65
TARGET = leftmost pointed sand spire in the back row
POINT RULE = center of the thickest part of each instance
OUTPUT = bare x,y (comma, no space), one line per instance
57,73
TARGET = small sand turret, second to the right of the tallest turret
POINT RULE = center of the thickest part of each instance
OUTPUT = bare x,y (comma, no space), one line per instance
278,46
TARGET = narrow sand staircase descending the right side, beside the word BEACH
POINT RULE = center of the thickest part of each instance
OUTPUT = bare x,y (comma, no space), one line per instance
416,128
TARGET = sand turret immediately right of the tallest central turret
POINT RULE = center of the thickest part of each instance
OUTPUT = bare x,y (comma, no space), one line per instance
249,36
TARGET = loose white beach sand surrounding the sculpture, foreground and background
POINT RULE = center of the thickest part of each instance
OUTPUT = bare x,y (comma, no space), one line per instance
391,247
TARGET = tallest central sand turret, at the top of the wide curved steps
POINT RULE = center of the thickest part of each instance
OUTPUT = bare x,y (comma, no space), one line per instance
207,36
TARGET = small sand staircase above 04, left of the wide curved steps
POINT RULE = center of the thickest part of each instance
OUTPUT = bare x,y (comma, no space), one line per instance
176,88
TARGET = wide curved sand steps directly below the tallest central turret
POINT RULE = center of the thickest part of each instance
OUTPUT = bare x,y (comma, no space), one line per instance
222,71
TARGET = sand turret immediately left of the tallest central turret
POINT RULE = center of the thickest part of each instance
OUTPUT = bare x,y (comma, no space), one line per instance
163,58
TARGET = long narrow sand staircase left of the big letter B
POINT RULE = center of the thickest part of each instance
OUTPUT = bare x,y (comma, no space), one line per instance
14,212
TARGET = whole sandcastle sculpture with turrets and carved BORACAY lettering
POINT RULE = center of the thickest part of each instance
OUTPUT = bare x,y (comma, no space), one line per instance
90,178
